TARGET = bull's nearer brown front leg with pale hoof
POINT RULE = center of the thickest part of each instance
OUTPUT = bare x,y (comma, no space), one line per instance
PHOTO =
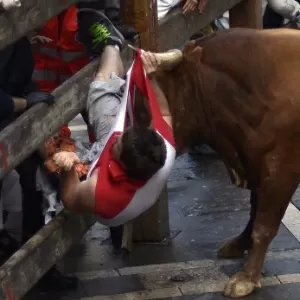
273,198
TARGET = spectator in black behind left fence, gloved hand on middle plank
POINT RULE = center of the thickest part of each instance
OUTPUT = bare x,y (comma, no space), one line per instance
17,93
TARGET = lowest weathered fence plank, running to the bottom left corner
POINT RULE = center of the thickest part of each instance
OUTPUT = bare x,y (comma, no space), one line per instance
22,271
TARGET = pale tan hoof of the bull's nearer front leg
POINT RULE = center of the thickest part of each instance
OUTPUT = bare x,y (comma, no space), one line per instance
240,285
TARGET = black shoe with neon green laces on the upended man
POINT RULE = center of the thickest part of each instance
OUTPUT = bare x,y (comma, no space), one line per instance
96,31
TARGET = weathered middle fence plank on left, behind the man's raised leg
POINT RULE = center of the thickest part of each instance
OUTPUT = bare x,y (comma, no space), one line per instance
41,121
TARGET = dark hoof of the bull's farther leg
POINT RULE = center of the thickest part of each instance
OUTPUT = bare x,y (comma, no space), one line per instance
234,248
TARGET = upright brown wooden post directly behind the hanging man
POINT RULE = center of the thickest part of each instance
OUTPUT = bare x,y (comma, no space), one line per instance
153,225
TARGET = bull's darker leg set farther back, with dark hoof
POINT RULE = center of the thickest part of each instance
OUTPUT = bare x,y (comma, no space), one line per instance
236,247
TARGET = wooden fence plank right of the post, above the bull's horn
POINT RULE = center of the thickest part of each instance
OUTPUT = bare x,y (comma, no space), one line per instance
175,29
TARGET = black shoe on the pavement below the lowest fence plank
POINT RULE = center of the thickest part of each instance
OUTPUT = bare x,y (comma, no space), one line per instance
56,280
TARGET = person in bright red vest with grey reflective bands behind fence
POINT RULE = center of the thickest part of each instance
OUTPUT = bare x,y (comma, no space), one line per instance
58,54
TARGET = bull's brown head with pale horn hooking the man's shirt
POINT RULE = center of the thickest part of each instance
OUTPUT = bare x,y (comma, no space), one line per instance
179,79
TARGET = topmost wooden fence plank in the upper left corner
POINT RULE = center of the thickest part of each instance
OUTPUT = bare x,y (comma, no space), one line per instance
32,14
